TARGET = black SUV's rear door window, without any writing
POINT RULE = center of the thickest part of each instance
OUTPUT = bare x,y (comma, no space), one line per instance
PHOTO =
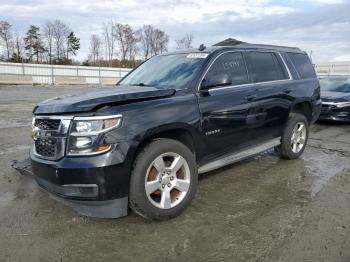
264,67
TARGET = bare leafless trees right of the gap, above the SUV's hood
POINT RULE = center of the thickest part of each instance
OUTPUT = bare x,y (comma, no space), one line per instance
121,45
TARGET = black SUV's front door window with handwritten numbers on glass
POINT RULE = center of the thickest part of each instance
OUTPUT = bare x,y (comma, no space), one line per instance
231,64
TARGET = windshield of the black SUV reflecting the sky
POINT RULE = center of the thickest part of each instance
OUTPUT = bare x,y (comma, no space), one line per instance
166,71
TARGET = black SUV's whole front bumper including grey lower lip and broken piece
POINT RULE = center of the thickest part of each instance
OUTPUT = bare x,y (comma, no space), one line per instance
95,186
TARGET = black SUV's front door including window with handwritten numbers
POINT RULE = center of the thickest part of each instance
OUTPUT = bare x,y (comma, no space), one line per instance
225,110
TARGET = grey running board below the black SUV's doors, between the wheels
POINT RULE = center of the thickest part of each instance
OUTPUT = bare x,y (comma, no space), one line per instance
229,159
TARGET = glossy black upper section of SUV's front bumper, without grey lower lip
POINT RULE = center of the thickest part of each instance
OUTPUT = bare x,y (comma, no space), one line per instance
106,173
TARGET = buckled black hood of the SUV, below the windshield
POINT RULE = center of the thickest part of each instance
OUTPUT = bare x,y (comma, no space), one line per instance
88,100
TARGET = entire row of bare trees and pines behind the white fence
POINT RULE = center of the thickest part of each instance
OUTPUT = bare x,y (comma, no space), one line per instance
118,45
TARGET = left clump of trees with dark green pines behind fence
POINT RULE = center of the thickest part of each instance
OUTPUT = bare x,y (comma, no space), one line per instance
53,43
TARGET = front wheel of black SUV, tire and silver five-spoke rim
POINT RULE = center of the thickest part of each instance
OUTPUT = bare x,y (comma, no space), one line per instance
148,171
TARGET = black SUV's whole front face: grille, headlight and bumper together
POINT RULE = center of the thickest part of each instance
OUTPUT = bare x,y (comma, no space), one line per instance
91,180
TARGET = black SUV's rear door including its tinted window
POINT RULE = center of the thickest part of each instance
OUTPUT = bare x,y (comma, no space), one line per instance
273,83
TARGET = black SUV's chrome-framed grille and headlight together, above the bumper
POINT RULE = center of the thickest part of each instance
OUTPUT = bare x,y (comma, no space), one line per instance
56,136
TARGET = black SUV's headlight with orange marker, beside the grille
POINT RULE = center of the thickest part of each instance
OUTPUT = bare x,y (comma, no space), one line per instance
86,134
